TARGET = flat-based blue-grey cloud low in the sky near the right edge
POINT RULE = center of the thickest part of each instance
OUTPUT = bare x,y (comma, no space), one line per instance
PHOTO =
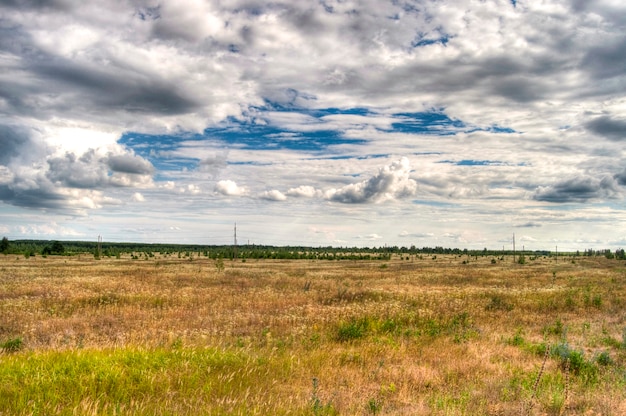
579,189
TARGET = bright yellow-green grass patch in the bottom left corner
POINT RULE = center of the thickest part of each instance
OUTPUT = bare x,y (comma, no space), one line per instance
132,381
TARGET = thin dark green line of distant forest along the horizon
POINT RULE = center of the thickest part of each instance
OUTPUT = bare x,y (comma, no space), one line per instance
246,251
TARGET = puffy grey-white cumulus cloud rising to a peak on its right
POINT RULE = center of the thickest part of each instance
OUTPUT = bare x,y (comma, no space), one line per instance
391,182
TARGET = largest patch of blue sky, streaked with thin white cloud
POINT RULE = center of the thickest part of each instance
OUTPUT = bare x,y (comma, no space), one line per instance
288,126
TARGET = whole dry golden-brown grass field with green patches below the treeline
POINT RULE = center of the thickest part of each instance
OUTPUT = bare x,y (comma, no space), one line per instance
441,335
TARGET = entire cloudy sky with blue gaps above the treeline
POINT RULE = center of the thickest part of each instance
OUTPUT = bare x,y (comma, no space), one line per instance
452,123
